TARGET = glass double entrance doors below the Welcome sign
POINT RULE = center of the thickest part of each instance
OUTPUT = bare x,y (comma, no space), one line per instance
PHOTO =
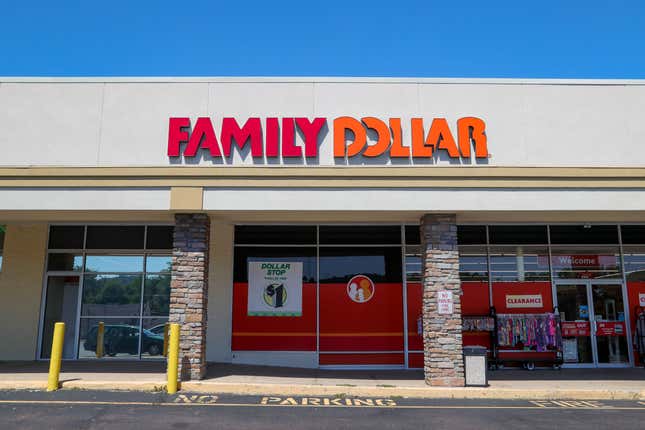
593,323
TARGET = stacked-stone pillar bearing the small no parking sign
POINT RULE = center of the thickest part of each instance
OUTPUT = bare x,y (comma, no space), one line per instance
443,360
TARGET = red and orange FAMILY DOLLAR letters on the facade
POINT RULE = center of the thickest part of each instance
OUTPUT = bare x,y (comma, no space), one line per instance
276,137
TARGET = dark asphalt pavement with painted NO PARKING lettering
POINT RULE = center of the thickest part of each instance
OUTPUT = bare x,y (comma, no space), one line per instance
144,410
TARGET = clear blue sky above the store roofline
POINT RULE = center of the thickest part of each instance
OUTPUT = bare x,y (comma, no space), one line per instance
537,39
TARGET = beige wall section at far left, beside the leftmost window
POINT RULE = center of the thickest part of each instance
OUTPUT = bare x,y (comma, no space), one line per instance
21,281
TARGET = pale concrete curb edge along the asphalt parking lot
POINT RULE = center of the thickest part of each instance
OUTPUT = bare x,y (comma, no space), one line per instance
331,390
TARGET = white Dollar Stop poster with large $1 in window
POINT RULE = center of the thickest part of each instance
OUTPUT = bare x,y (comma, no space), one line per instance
275,288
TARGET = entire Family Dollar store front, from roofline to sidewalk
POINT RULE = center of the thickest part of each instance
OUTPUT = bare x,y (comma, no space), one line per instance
334,223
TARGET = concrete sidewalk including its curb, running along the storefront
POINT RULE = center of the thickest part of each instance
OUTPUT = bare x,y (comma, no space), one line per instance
587,384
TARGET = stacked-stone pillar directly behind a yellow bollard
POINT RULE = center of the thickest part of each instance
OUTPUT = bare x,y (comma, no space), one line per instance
189,291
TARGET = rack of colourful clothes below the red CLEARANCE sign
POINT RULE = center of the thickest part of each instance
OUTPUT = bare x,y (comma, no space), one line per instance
528,354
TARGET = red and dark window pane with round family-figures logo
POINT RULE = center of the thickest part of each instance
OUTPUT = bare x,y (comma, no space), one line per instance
365,285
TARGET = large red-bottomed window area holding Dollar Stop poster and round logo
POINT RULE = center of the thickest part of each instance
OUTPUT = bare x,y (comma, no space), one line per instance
352,271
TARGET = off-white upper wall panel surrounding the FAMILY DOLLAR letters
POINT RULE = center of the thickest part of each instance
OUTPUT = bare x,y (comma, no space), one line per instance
93,122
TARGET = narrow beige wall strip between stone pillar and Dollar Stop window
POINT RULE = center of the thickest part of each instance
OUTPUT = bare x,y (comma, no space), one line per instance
220,292
